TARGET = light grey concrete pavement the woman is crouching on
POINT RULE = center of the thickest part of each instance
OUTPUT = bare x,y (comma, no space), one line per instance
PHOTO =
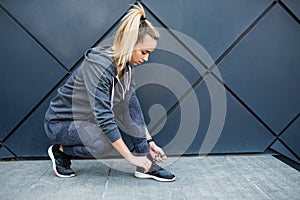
212,177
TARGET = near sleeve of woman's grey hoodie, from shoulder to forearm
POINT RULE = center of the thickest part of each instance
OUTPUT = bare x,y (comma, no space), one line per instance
98,82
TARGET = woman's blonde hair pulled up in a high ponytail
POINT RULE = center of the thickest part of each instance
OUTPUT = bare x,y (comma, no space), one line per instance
133,29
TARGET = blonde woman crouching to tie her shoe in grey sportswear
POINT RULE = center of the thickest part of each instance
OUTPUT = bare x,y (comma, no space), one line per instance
98,100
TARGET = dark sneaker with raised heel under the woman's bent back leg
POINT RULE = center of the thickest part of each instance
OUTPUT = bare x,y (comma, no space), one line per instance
61,162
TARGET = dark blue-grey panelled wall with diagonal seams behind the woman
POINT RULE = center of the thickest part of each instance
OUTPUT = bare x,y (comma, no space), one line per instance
254,48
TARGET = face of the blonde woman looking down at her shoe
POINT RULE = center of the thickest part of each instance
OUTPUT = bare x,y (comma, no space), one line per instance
142,50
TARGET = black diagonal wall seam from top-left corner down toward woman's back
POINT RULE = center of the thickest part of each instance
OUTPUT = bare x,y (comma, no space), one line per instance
33,37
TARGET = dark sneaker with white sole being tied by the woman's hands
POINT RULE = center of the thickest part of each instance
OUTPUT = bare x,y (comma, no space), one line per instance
156,172
